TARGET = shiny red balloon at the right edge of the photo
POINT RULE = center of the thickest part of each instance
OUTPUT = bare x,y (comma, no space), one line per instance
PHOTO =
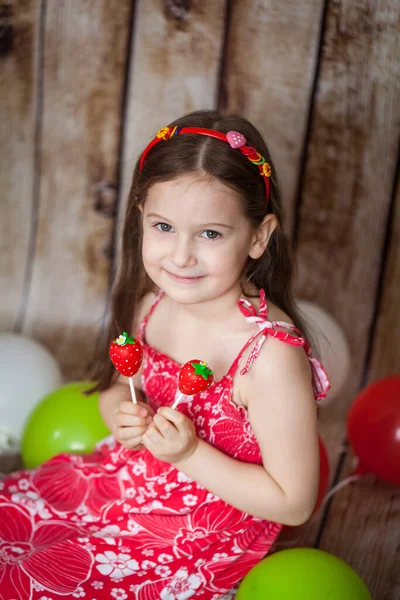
373,429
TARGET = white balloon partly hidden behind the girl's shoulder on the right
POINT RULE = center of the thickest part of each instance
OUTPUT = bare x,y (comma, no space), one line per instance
332,345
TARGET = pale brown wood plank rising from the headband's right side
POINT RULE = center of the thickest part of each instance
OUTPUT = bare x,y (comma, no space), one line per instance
271,55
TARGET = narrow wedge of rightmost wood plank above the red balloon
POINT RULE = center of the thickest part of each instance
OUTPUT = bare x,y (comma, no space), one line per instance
385,357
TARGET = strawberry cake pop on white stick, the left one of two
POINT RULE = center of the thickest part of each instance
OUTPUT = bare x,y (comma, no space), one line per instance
126,354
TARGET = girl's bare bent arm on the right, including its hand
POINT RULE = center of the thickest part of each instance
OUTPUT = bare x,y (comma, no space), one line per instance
283,416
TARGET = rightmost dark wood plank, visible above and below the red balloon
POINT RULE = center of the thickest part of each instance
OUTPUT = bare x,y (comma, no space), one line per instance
363,521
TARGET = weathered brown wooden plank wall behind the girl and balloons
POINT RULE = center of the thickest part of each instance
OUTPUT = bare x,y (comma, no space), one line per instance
84,84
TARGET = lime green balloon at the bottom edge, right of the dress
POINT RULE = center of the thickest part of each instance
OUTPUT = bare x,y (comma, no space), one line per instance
302,574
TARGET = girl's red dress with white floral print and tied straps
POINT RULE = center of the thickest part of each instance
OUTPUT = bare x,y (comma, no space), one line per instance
122,524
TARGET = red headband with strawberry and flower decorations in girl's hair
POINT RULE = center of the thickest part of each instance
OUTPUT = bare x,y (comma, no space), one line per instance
235,139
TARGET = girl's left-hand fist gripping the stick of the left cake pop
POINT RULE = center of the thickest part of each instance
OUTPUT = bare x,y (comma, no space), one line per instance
131,421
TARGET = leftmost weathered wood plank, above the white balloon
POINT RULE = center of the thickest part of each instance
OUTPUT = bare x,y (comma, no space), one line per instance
19,36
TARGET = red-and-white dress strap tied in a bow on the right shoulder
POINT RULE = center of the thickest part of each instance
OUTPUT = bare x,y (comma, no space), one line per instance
320,381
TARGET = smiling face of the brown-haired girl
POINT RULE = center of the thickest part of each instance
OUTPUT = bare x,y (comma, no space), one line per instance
195,238
